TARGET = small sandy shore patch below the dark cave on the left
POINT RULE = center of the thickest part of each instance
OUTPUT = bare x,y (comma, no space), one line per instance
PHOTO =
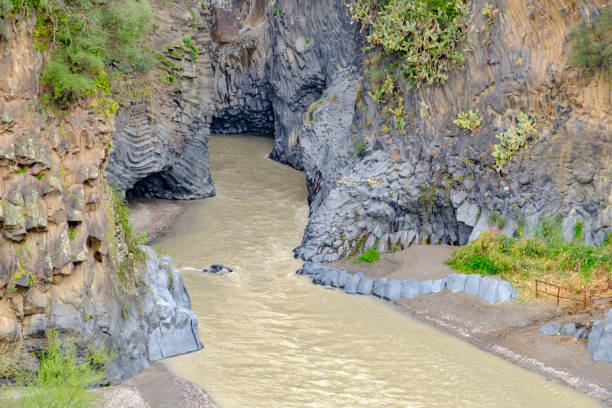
153,216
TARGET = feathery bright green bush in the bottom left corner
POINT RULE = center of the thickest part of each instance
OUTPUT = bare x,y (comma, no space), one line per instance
62,381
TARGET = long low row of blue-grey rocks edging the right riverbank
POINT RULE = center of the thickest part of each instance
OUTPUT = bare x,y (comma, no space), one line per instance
487,288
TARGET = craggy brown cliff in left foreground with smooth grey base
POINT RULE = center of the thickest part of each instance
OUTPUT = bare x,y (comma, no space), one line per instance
60,248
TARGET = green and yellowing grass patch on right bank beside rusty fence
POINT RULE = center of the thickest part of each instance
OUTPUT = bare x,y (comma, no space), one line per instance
545,256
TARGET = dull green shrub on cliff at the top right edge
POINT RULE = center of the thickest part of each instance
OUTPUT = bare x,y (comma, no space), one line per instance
591,44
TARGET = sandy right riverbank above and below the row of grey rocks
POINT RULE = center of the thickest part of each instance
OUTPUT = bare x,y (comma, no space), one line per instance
509,330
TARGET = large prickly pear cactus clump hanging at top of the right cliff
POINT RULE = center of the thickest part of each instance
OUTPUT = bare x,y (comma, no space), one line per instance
411,43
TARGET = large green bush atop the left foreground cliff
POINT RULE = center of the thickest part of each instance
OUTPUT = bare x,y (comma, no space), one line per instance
87,40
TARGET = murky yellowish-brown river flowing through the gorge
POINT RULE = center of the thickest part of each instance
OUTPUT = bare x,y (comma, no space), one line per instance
272,339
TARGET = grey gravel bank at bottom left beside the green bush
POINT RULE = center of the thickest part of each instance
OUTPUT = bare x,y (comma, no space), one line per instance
156,387
